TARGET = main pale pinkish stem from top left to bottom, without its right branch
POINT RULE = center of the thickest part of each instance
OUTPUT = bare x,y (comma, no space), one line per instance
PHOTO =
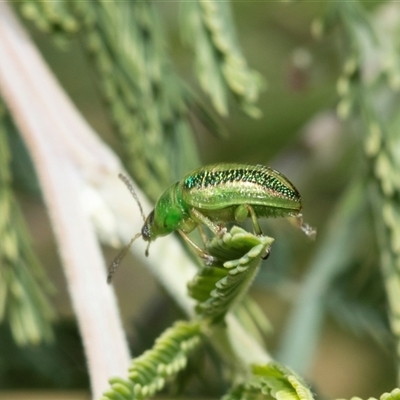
65,153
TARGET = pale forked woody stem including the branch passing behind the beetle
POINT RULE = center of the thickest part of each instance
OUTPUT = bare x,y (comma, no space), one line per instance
79,178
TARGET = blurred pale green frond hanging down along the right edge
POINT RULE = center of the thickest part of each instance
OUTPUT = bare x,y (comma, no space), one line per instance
371,94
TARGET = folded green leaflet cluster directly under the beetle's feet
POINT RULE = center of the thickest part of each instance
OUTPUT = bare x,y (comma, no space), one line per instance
217,288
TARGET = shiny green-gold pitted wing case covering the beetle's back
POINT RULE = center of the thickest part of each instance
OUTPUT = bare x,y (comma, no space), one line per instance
223,185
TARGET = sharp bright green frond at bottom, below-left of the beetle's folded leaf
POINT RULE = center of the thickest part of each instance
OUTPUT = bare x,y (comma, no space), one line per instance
148,373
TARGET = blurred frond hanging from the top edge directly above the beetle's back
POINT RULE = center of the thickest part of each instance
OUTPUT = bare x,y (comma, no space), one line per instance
220,66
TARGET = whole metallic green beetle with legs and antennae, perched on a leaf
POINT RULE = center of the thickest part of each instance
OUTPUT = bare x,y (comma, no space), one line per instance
213,195
